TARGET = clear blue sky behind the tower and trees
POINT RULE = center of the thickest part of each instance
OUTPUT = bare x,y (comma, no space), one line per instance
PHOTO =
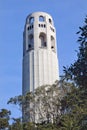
68,16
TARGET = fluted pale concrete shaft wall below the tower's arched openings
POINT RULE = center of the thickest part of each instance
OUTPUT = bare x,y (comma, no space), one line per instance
40,68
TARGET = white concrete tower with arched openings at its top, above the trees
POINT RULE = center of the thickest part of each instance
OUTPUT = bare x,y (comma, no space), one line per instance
40,63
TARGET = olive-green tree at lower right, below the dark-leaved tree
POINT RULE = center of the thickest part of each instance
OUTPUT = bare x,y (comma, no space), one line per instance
74,110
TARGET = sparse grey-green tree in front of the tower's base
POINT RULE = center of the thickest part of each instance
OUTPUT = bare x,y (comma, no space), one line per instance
44,103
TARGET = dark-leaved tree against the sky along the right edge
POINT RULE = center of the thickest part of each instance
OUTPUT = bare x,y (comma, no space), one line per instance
78,70
